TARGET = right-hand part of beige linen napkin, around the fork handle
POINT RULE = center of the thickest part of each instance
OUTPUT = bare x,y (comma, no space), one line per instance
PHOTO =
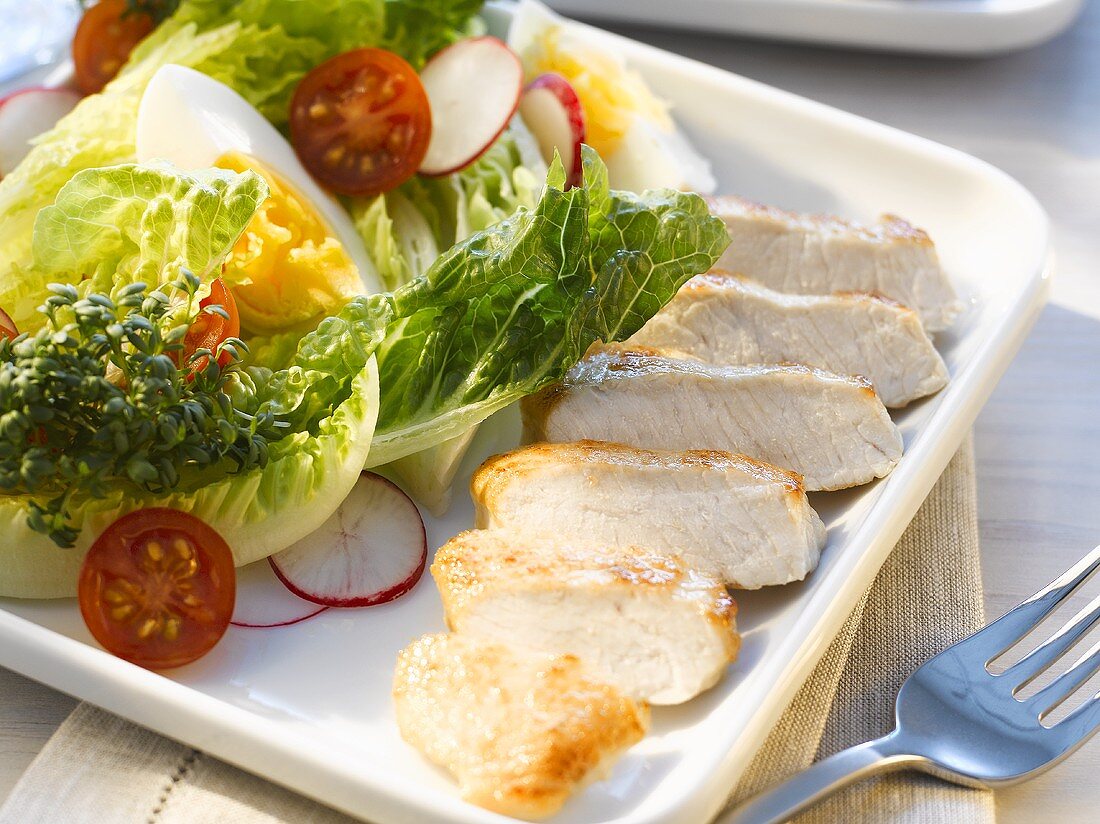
927,597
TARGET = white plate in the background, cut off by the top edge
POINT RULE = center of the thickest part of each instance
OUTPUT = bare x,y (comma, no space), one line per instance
936,27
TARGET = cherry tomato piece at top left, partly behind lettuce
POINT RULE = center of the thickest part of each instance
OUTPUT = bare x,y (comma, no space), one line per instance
105,38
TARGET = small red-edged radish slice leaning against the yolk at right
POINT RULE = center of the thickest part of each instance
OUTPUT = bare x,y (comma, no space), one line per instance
553,112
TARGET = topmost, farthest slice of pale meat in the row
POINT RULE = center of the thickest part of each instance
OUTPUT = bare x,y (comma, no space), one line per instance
820,255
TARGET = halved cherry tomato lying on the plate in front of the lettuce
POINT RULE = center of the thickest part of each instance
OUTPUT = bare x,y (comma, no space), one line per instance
158,588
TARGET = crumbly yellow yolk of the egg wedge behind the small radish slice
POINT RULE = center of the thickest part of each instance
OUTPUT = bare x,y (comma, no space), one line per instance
611,95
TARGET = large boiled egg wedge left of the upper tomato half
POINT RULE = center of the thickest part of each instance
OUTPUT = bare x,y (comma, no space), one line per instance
301,259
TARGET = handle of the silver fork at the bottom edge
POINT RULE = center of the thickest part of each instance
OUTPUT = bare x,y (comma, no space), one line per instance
826,777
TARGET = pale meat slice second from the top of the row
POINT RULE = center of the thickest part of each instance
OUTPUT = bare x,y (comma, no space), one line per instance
722,318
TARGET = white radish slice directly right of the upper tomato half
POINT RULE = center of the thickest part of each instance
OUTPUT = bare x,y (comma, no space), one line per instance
474,89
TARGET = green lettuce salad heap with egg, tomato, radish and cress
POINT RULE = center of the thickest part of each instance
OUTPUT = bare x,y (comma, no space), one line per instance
359,281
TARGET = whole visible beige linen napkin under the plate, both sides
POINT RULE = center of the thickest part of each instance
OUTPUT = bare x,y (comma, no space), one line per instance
100,770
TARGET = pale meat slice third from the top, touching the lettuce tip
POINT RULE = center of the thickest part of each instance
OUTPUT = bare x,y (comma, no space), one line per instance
831,430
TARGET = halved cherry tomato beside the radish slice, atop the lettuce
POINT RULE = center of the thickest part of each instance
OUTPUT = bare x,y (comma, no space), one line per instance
361,123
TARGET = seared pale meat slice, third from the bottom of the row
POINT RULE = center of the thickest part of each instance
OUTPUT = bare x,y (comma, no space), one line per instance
738,520
